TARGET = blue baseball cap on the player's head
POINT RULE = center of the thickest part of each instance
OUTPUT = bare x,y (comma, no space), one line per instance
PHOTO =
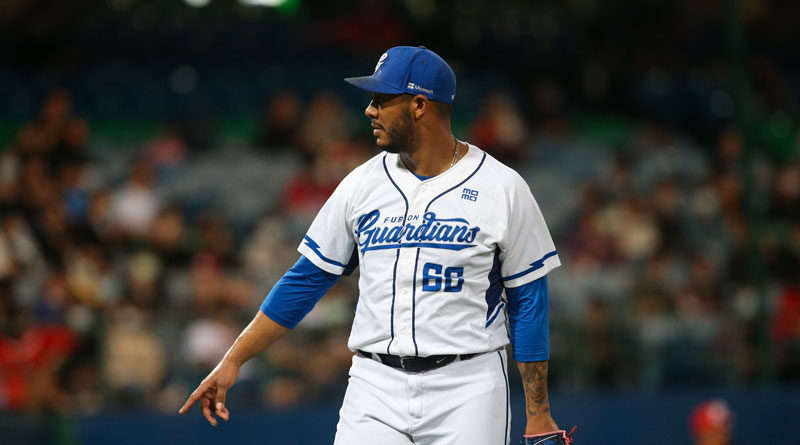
413,70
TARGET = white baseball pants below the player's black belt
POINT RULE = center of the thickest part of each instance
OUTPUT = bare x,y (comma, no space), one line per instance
462,402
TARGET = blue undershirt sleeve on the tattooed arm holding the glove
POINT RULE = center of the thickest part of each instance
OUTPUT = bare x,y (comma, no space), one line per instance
529,324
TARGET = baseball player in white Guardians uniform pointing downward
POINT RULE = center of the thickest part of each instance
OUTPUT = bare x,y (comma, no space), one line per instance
453,255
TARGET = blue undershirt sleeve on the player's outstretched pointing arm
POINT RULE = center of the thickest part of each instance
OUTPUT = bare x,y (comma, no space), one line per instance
296,293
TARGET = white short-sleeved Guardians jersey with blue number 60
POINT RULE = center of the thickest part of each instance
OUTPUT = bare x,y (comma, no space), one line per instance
434,255
